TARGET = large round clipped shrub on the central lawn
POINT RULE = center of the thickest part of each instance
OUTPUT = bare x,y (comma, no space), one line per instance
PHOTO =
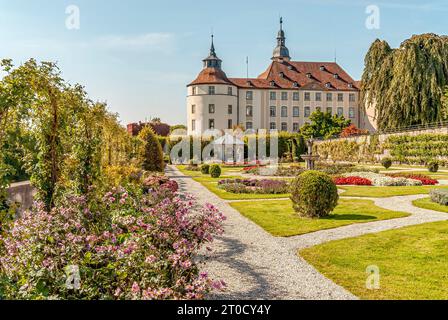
314,194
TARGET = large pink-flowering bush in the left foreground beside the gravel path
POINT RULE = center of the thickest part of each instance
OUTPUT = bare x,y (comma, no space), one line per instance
129,245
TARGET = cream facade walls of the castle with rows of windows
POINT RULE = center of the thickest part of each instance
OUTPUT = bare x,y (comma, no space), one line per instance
223,111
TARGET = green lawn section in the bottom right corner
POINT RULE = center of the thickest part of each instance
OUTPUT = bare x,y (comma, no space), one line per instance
412,262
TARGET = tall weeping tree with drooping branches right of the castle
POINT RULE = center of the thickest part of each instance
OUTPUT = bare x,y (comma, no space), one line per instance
406,85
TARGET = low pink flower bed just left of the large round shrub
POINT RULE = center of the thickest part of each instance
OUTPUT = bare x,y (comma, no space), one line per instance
265,186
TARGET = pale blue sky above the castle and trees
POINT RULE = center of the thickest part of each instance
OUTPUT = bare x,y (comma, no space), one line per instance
139,55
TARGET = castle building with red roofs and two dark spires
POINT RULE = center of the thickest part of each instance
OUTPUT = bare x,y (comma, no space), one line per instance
282,98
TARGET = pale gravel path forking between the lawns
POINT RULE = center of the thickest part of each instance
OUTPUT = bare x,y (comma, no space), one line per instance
257,265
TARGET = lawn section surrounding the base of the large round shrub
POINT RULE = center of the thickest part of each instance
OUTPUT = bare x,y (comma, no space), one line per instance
278,217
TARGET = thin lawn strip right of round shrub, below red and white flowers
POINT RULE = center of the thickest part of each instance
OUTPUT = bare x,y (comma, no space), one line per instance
384,192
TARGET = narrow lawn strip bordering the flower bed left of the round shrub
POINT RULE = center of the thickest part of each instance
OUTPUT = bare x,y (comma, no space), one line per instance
212,185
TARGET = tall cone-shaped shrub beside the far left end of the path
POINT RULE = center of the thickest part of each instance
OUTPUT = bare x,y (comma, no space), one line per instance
152,153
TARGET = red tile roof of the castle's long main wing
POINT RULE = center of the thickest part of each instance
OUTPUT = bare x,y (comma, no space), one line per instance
298,74
